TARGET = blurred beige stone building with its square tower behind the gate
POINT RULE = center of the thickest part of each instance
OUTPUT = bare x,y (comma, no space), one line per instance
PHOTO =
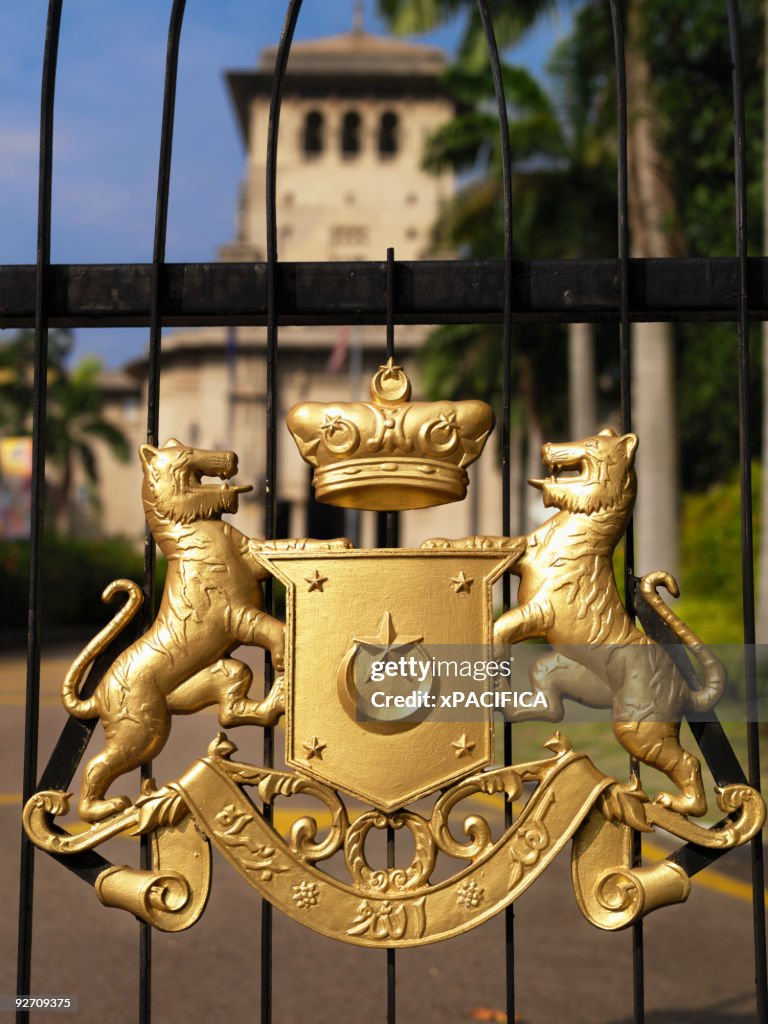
357,110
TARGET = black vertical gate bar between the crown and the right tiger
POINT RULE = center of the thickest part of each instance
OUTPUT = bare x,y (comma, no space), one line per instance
496,71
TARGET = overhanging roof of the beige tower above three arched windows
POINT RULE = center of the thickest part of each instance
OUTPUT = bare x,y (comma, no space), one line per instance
353,65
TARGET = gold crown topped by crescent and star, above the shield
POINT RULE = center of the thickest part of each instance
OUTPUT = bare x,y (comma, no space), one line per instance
391,454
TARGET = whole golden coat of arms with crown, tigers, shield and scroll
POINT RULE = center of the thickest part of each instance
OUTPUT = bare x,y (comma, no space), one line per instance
362,662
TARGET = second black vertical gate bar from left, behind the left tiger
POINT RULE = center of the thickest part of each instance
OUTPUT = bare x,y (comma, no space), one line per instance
153,416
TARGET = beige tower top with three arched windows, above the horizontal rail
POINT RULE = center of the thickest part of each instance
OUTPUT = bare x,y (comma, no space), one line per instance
357,110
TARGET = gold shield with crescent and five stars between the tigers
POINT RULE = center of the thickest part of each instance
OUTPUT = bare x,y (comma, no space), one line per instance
394,599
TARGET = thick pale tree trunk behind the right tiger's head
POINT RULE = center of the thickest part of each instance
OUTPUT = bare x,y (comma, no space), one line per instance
652,220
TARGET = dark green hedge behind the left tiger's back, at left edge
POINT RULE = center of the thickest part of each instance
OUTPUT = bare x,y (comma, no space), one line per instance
75,573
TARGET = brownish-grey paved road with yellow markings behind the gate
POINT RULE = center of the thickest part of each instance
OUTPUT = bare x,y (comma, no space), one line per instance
699,956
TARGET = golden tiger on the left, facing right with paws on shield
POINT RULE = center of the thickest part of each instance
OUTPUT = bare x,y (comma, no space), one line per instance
211,605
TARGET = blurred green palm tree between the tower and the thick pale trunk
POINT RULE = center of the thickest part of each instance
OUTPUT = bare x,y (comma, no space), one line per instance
564,203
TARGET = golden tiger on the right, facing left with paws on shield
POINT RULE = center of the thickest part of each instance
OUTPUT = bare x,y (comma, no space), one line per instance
569,596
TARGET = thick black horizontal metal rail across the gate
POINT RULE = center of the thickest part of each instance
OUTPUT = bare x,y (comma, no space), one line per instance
426,292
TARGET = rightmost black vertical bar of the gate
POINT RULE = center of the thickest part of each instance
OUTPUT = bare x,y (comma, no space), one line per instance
748,581
